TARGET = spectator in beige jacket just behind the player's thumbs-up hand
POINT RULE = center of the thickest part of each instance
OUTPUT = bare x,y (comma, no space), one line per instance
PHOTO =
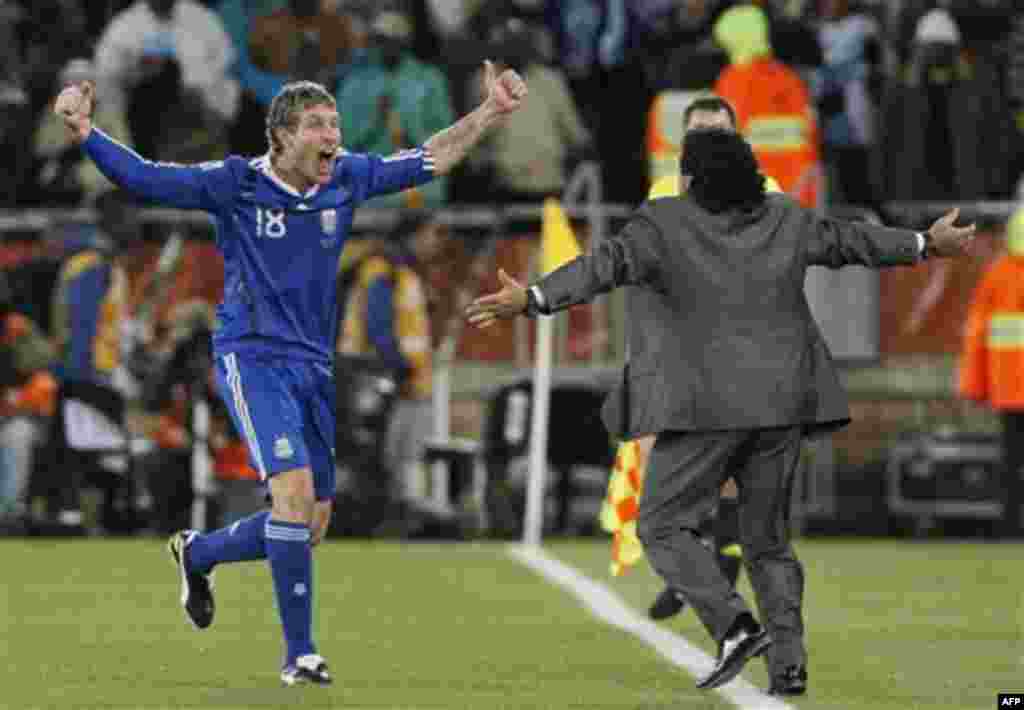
528,154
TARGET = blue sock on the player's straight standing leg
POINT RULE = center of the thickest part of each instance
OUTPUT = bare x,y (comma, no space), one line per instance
291,566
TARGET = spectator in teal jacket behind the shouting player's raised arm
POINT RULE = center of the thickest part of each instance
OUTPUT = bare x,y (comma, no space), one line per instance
394,102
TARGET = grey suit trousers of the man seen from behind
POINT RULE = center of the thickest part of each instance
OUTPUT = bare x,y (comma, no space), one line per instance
681,488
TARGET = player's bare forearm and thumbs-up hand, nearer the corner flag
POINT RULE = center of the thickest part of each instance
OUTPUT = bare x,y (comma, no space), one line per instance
505,95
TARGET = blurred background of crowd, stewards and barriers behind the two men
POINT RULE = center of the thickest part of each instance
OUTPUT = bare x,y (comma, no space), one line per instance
891,112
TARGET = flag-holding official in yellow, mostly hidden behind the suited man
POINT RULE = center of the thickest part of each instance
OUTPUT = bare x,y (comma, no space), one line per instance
706,112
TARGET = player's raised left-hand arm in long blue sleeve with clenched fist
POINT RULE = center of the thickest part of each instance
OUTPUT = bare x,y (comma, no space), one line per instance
176,186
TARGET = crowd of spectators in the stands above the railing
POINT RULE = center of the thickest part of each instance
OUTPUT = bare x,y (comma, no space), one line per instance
189,80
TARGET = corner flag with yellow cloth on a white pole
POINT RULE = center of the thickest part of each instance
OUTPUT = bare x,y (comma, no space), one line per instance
559,246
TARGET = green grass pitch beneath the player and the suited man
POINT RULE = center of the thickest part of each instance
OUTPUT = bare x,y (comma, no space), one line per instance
97,624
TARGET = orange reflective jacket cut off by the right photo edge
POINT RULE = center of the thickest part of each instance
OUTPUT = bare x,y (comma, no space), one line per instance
992,367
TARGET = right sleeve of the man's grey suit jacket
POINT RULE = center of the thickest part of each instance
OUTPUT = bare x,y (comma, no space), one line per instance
835,243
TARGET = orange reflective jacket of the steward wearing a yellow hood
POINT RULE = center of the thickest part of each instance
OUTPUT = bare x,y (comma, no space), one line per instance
775,113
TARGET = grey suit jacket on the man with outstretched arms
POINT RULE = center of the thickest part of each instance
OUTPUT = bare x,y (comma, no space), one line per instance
721,336
